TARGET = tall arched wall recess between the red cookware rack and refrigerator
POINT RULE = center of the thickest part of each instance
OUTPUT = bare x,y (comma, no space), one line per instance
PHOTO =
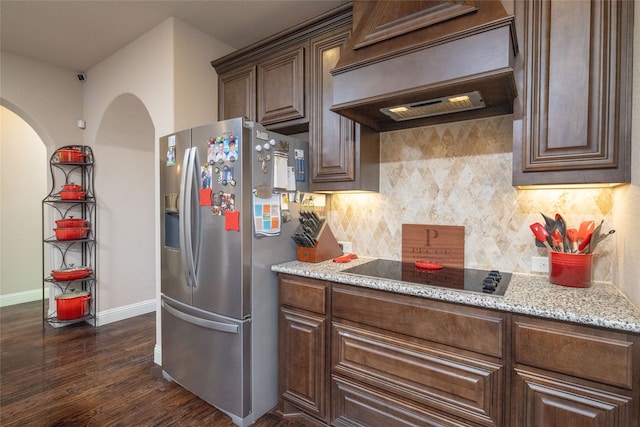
125,191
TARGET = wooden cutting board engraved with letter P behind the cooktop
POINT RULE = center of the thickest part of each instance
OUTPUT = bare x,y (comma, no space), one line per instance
439,243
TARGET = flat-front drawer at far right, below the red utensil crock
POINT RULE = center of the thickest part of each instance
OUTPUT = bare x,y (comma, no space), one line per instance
603,356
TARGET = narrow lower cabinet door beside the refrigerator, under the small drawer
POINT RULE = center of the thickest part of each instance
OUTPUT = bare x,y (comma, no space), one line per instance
302,361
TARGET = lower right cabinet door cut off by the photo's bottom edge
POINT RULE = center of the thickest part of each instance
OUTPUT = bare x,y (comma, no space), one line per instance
546,402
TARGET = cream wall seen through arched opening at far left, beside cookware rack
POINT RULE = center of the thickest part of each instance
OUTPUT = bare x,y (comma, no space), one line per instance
23,185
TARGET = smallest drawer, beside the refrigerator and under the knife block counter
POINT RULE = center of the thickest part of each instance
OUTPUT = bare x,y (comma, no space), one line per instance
307,294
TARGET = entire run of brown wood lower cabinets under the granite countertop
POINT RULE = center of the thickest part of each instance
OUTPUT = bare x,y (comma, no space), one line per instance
353,356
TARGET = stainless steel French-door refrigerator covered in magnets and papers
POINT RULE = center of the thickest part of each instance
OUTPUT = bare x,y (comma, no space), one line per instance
223,226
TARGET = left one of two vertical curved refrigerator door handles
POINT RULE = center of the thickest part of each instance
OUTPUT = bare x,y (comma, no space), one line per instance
186,183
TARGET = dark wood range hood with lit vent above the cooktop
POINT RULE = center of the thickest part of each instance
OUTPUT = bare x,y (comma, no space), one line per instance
418,63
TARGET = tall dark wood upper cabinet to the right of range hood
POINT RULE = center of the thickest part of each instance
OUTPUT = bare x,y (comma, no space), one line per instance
572,118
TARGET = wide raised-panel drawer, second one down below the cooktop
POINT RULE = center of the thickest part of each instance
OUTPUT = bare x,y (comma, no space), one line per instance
463,386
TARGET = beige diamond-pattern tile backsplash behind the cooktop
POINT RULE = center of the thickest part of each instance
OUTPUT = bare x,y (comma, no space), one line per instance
460,174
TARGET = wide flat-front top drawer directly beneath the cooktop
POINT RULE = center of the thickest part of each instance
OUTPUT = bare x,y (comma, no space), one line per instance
464,327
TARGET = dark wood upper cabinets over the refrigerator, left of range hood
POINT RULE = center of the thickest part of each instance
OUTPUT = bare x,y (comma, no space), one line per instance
284,83
